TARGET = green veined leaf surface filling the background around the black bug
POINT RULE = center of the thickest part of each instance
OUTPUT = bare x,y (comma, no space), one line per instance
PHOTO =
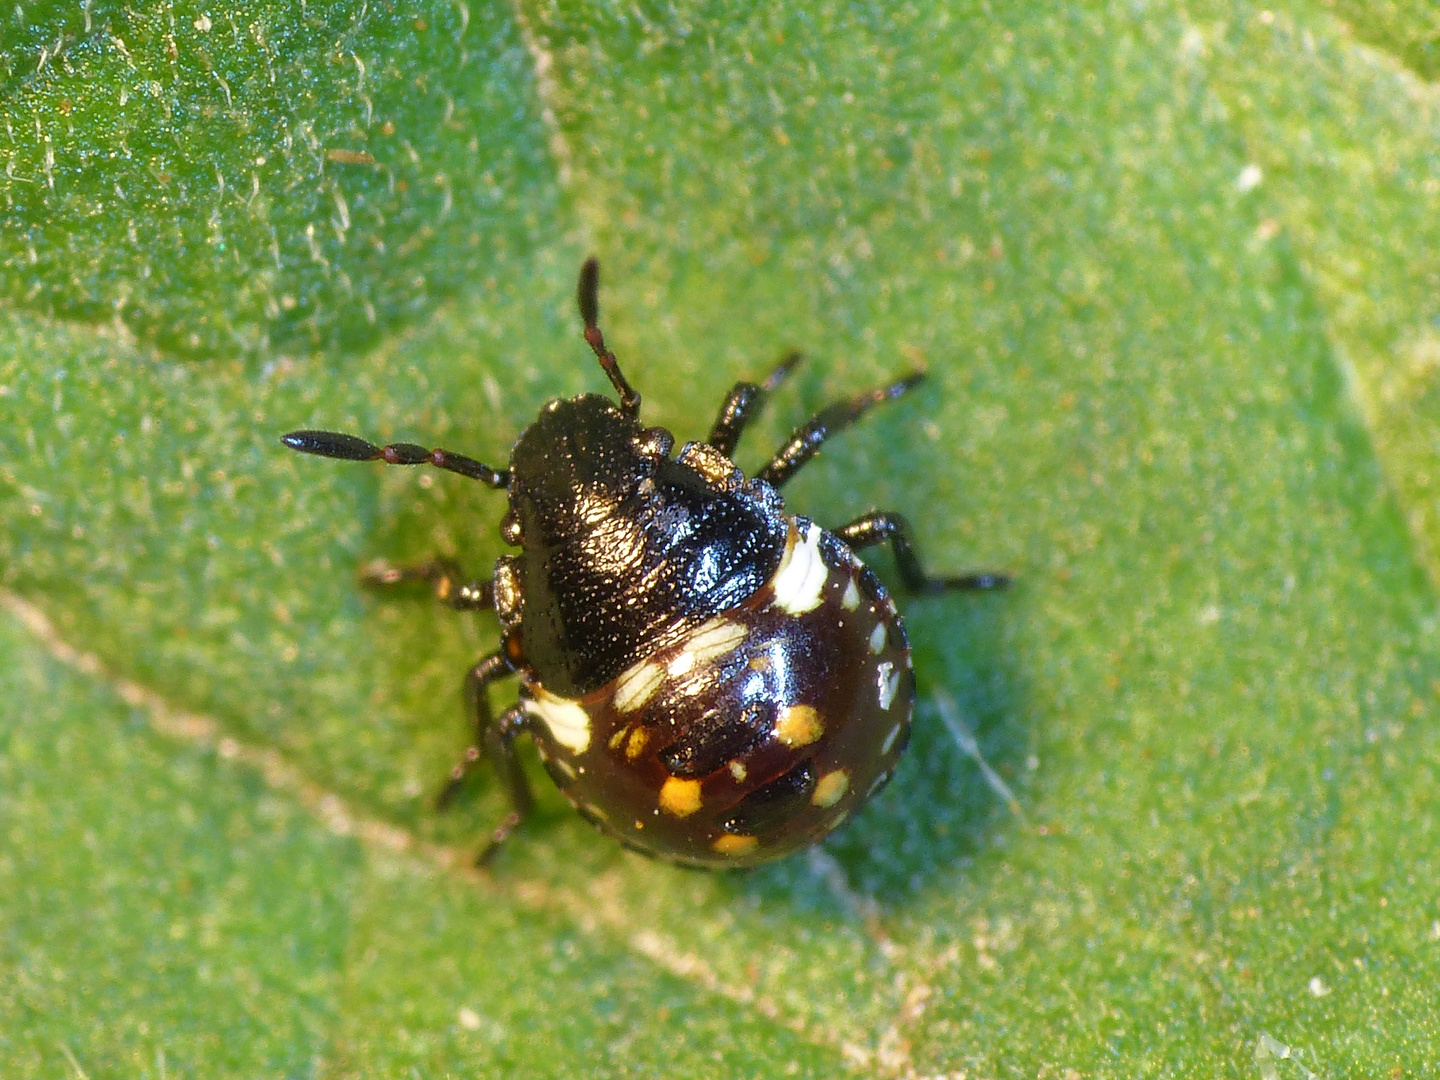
1173,274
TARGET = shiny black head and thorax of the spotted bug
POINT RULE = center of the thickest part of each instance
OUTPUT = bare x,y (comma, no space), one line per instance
624,549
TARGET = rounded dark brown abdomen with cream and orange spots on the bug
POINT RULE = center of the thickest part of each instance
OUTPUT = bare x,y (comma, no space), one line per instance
754,735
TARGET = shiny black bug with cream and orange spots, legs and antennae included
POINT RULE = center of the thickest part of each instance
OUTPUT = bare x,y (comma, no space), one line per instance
708,678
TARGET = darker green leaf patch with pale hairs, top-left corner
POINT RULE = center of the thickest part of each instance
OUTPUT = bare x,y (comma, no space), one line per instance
269,176
